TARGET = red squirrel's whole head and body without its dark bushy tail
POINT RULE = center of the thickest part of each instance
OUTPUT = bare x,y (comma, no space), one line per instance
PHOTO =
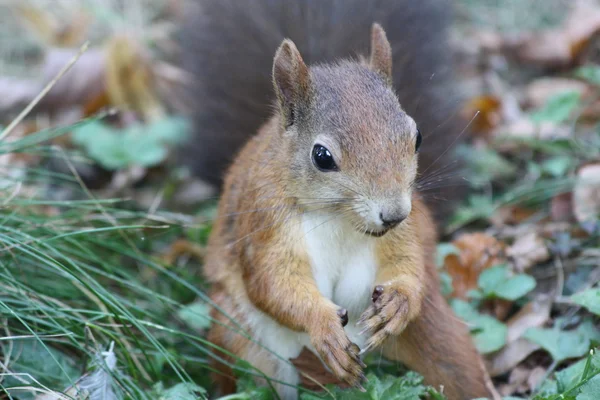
321,240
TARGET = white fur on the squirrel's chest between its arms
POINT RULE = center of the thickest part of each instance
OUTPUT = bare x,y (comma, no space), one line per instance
343,262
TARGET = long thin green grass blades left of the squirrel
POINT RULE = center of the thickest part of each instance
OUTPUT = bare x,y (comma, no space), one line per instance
76,275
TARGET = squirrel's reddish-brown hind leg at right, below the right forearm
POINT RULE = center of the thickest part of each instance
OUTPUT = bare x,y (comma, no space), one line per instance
437,345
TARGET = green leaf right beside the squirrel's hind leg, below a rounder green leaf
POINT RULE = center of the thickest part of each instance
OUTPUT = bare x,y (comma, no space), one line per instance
488,333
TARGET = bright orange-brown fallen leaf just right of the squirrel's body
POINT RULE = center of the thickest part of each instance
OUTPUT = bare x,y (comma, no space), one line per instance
477,251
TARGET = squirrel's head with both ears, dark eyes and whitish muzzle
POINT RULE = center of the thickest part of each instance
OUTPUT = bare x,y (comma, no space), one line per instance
350,147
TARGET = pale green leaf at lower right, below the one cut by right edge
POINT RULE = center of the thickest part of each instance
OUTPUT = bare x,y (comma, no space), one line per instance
563,345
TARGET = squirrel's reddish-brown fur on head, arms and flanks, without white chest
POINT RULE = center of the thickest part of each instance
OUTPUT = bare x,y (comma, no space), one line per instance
257,258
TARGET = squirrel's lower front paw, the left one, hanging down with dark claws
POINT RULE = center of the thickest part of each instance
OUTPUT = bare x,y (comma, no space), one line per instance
337,351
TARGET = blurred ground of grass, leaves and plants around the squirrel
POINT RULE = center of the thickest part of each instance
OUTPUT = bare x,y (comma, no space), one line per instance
102,230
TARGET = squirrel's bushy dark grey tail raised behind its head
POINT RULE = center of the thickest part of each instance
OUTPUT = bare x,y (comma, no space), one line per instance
228,50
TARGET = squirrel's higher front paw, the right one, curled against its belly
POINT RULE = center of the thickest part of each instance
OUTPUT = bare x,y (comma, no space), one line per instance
388,315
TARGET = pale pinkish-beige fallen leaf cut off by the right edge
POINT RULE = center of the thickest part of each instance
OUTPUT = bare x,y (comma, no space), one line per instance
586,194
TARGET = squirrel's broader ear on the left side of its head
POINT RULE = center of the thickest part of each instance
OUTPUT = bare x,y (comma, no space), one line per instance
291,79
